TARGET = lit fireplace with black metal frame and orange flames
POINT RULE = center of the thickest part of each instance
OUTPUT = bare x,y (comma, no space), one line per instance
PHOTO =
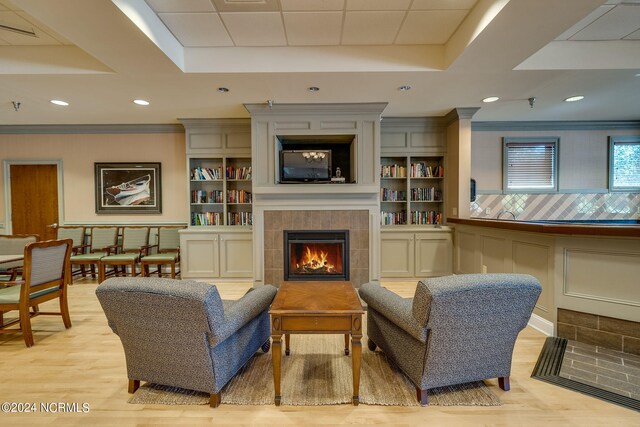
316,255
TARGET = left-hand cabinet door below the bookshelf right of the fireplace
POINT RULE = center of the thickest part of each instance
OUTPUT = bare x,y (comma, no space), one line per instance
396,255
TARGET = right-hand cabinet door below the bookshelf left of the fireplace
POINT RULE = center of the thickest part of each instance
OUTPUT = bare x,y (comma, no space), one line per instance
236,255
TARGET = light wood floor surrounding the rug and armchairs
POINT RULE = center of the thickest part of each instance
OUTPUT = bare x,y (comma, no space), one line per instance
86,364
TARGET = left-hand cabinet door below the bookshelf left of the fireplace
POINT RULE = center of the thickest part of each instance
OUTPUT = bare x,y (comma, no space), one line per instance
200,254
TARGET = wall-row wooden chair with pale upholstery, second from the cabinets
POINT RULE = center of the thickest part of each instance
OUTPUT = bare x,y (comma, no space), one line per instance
127,254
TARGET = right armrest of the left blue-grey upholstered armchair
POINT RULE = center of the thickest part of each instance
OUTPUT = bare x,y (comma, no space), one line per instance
243,311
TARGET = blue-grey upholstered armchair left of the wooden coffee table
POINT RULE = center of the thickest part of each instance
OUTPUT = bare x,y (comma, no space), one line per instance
180,333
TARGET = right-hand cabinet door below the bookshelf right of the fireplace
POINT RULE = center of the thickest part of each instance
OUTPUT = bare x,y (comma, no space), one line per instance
434,254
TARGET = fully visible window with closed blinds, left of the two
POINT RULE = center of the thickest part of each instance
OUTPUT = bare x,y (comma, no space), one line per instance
530,165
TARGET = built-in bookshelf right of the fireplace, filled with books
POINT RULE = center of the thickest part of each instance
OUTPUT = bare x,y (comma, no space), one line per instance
411,190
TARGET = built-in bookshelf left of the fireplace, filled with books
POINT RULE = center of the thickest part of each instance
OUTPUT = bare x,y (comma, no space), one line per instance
220,191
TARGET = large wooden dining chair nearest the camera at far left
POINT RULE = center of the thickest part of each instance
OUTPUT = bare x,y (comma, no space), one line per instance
44,278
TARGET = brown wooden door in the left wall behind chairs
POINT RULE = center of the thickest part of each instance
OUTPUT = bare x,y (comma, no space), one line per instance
34,199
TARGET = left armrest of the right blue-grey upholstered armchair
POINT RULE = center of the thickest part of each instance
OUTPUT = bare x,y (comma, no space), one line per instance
395,308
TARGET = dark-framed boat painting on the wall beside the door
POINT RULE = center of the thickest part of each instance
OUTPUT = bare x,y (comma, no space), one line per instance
128,188
